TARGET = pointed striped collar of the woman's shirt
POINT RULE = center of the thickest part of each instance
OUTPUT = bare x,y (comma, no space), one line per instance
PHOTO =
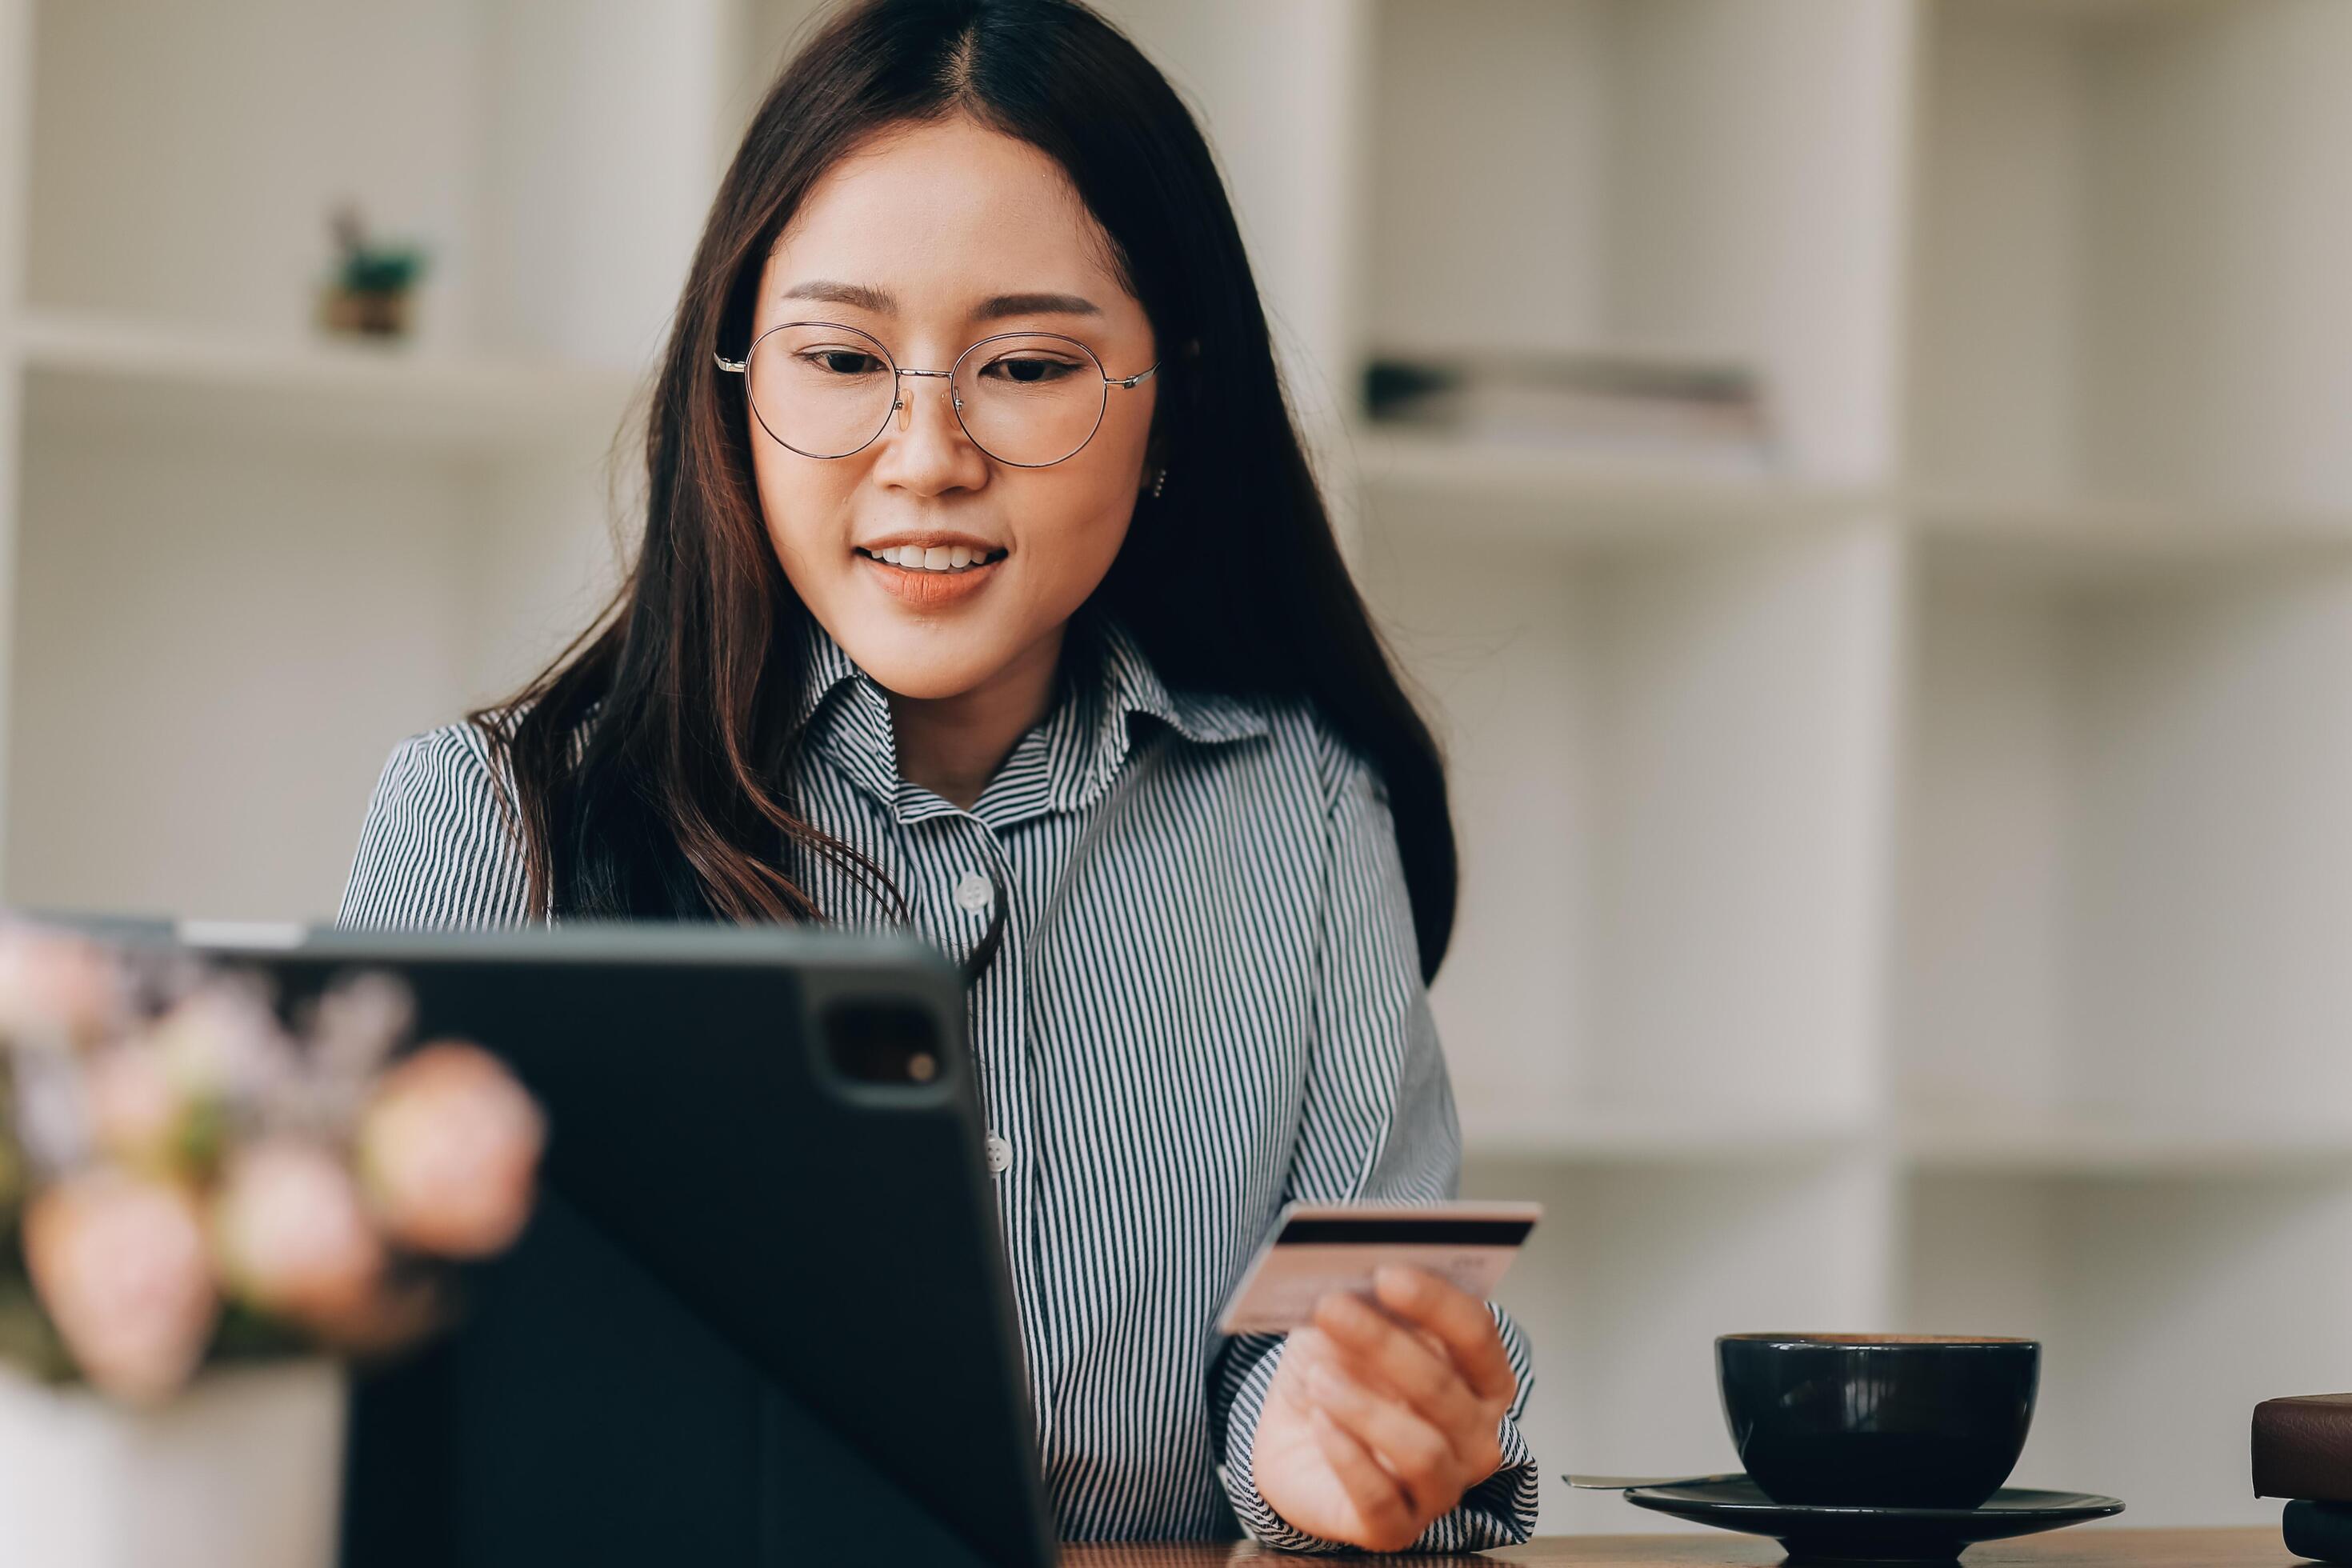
1064,763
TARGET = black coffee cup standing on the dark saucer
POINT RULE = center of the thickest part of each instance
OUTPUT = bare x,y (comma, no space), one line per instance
1878,1419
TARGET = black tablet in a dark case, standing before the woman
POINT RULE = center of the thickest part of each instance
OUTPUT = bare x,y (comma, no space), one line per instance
763,1308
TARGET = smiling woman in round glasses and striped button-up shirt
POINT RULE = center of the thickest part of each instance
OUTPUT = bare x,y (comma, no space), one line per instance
987,591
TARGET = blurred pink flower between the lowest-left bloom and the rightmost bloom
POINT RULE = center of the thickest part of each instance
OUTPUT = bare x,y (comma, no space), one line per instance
290,1235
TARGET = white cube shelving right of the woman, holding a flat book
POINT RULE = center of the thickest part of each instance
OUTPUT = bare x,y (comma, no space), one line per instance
1902,892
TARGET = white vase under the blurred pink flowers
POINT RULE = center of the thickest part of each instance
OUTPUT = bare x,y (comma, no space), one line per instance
239,1470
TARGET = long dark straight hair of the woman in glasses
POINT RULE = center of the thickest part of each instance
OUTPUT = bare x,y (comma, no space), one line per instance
671,800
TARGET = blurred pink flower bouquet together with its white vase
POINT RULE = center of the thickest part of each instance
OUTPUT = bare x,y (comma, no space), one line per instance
206,1214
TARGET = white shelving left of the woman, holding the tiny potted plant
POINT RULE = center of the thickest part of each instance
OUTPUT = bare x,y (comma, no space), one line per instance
248,558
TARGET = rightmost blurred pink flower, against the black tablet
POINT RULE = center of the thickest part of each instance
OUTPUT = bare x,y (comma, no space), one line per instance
448,1151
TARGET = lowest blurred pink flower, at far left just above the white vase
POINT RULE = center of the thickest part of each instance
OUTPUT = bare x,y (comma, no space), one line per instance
121,1266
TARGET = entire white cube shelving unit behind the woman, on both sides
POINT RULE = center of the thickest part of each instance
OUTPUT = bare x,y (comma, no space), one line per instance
1902,892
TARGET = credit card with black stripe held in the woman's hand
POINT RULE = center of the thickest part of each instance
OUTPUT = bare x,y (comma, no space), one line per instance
1339,1247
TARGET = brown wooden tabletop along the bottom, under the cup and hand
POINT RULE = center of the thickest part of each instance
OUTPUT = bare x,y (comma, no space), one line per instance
2078,1548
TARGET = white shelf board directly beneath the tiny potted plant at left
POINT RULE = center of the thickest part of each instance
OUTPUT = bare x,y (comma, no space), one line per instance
86,366
